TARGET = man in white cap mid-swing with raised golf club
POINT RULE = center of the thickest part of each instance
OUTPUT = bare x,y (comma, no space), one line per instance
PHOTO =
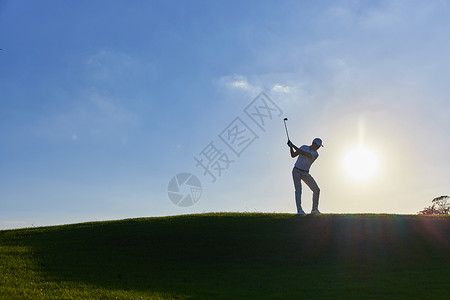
306,155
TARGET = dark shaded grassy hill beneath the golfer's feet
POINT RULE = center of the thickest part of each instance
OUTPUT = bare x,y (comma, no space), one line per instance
231,256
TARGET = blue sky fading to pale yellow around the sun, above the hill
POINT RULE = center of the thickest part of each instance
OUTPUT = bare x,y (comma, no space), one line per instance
104,102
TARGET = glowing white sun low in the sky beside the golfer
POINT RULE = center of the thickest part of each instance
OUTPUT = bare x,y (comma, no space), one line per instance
361,163
